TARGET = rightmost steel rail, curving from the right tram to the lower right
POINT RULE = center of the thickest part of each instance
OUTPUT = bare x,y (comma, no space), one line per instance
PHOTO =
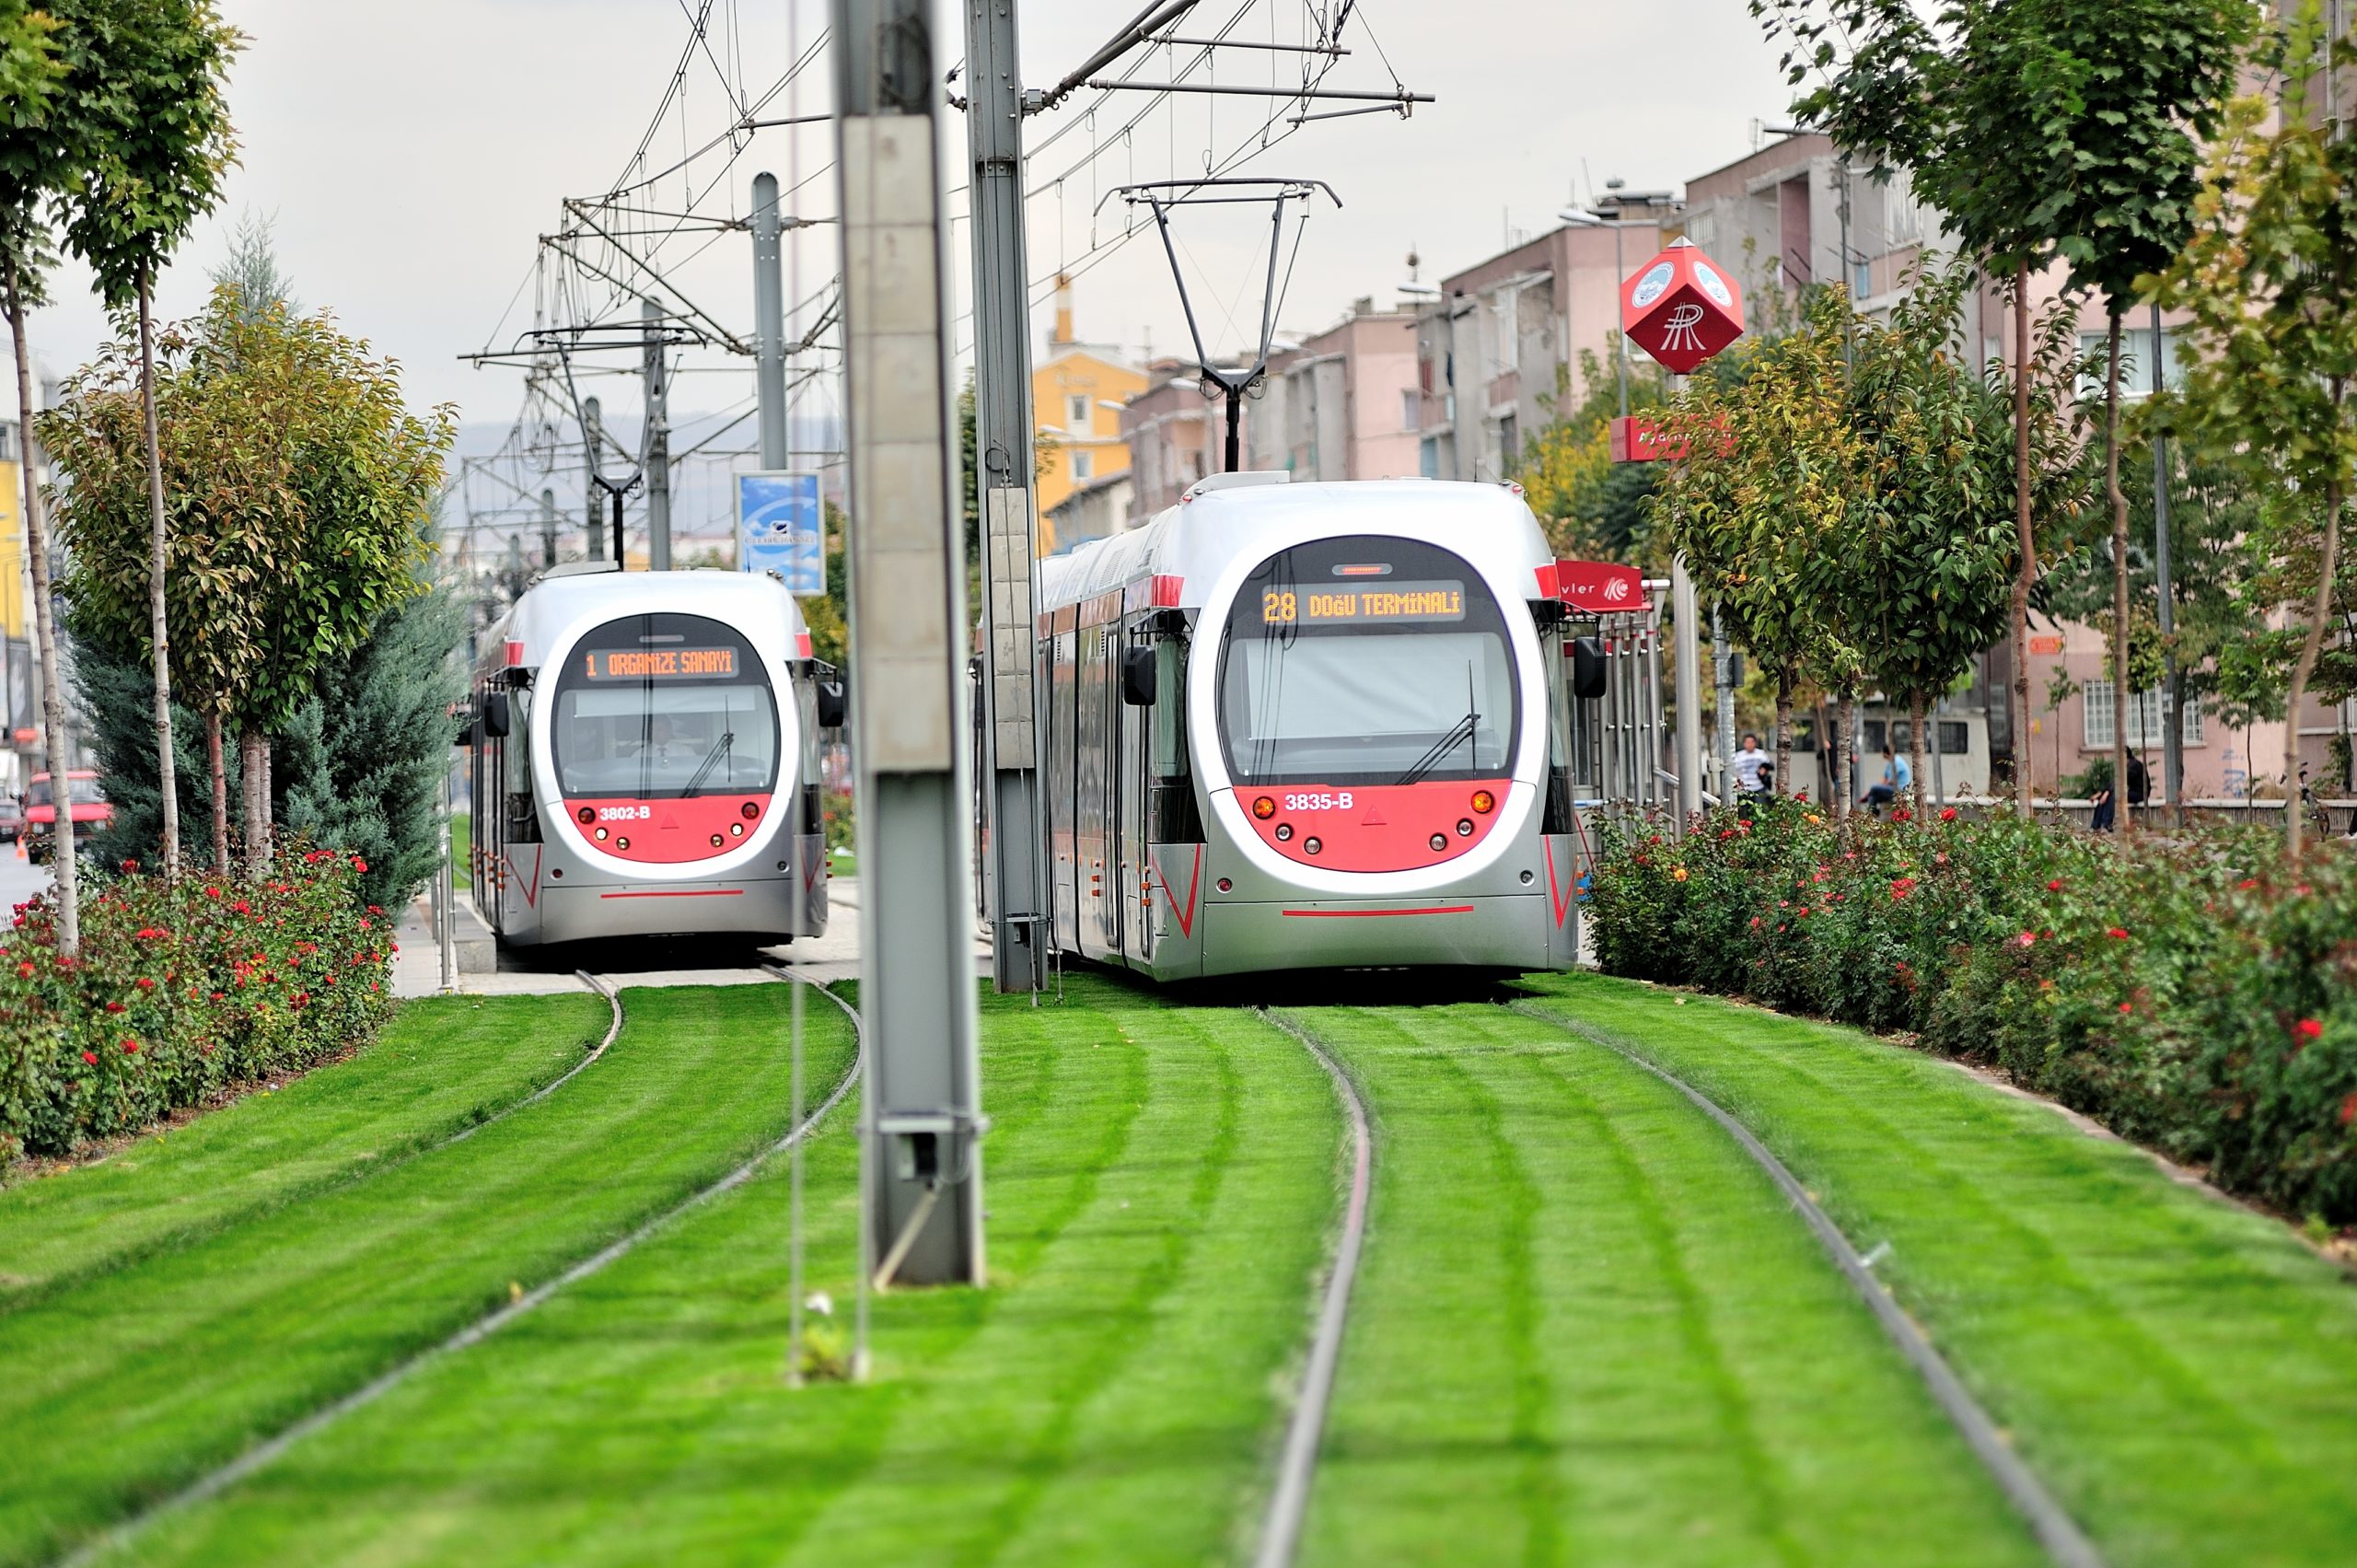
2047,1520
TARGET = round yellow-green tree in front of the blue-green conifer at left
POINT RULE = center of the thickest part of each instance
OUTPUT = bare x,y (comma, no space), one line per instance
301,492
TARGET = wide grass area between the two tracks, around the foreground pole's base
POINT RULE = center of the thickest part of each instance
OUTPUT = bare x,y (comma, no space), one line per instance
1161,1192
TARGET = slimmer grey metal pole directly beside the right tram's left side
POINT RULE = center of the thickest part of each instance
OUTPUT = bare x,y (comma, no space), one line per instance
1003,430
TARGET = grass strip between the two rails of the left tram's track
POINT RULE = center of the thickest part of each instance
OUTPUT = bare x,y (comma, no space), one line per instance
145,1378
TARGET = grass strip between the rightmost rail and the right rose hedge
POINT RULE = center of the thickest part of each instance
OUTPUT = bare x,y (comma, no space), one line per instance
2184,1373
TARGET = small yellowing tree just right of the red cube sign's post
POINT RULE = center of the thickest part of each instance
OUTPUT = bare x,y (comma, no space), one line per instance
1762,494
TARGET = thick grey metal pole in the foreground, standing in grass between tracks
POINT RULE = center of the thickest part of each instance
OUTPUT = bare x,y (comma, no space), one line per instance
920,1147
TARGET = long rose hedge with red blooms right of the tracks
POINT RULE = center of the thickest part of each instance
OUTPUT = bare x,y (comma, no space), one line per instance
2186,994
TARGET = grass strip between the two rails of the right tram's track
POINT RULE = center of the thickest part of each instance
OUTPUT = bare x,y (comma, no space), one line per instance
1592,1331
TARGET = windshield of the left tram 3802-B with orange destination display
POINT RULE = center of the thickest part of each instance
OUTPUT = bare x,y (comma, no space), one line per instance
663,709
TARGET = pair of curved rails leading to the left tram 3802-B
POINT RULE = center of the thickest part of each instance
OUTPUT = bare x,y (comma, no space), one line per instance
268,1451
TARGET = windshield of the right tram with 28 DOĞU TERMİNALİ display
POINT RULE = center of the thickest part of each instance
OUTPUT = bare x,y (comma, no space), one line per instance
1366,661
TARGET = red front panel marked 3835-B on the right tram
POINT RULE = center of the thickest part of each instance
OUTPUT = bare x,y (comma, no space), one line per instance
1375,826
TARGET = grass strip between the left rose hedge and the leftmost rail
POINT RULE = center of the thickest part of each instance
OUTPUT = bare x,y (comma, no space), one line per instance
440,1067
